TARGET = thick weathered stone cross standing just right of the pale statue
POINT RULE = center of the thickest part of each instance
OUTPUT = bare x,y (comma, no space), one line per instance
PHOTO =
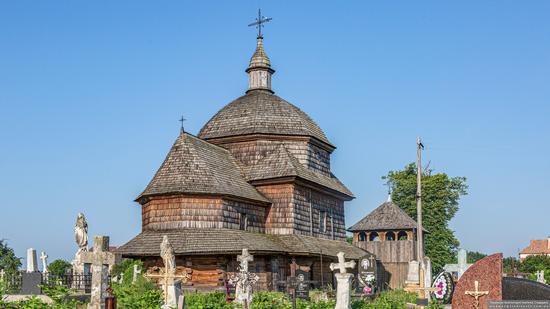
100,260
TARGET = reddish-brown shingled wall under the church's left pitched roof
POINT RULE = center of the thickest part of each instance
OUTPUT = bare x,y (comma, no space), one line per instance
169,212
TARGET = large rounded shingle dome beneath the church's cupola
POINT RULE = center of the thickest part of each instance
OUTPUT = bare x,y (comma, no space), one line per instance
261,112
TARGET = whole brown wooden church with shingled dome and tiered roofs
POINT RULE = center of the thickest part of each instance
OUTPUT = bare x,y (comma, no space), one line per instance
258,177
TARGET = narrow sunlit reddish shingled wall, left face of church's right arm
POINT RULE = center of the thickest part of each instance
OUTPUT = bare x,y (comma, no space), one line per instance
280,214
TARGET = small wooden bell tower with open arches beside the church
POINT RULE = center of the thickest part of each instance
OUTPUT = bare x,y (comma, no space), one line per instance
389,233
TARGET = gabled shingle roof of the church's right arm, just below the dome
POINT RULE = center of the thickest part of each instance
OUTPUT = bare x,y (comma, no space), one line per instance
281,163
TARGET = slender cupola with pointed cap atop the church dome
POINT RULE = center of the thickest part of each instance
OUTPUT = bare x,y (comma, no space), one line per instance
259,70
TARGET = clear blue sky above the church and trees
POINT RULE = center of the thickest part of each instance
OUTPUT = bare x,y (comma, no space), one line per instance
91,93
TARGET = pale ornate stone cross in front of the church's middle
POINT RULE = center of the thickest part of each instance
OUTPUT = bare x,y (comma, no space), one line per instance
244,280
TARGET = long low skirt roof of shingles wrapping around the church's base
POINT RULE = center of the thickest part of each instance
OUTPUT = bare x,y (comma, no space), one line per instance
229,241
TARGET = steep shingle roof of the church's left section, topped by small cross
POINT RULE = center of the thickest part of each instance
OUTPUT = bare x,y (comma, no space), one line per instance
194,166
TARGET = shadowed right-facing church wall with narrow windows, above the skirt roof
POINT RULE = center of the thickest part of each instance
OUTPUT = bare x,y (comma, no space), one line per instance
310,205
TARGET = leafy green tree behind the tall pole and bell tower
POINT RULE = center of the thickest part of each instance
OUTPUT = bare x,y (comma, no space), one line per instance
440,197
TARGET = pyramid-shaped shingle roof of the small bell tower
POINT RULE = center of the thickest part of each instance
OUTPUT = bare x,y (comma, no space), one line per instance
387,216
